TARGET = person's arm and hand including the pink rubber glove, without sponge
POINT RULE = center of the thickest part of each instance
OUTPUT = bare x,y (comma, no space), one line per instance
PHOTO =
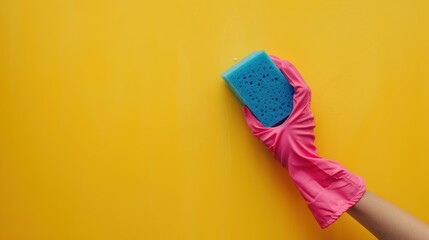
328,188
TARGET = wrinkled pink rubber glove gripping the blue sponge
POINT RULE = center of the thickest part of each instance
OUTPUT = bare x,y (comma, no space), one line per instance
328,188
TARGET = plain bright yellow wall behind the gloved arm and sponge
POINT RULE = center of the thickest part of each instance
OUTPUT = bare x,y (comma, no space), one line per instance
115,123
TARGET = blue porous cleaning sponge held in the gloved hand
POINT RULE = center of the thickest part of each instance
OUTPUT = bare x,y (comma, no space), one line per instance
259,84
